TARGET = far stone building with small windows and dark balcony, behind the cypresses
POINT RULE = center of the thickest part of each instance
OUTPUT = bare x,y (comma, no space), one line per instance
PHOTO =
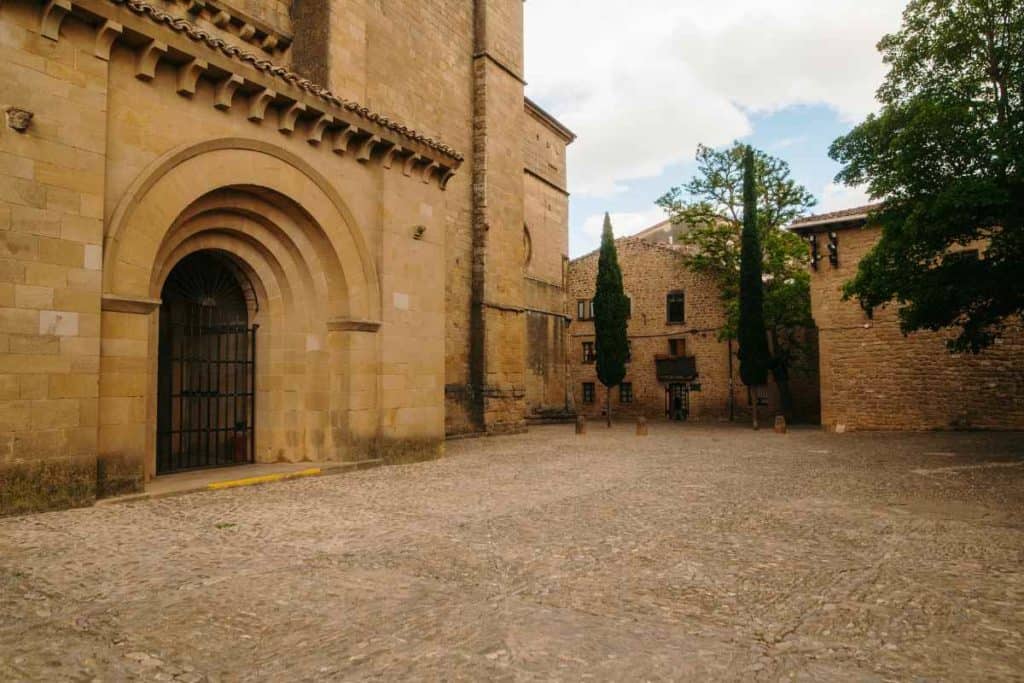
679,368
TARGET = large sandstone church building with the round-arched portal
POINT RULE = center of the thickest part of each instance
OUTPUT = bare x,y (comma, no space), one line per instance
279,231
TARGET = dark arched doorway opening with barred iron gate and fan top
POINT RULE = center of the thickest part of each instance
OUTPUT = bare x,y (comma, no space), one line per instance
206,392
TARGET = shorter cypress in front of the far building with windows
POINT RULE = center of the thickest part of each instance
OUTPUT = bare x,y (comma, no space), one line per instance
611,314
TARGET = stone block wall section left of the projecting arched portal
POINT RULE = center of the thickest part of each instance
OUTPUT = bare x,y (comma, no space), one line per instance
52,199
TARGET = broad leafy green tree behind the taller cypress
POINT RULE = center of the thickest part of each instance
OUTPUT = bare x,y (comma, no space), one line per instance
710,211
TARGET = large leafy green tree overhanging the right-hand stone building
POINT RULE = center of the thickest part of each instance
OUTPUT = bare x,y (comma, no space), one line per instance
947,155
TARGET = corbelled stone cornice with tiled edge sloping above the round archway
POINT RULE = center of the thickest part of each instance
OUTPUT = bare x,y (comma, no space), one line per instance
302,107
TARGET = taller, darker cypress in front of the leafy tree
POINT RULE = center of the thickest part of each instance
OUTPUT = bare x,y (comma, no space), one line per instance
755,358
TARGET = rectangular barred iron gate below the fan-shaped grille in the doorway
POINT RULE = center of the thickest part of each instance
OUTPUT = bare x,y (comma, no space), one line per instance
207,400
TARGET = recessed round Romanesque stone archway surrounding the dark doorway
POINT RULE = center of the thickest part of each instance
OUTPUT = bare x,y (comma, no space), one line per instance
284,236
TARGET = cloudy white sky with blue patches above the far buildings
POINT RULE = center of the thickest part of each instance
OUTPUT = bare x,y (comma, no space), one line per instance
644,83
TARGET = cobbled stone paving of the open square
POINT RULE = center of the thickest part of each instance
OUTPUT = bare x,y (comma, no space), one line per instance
696,553
